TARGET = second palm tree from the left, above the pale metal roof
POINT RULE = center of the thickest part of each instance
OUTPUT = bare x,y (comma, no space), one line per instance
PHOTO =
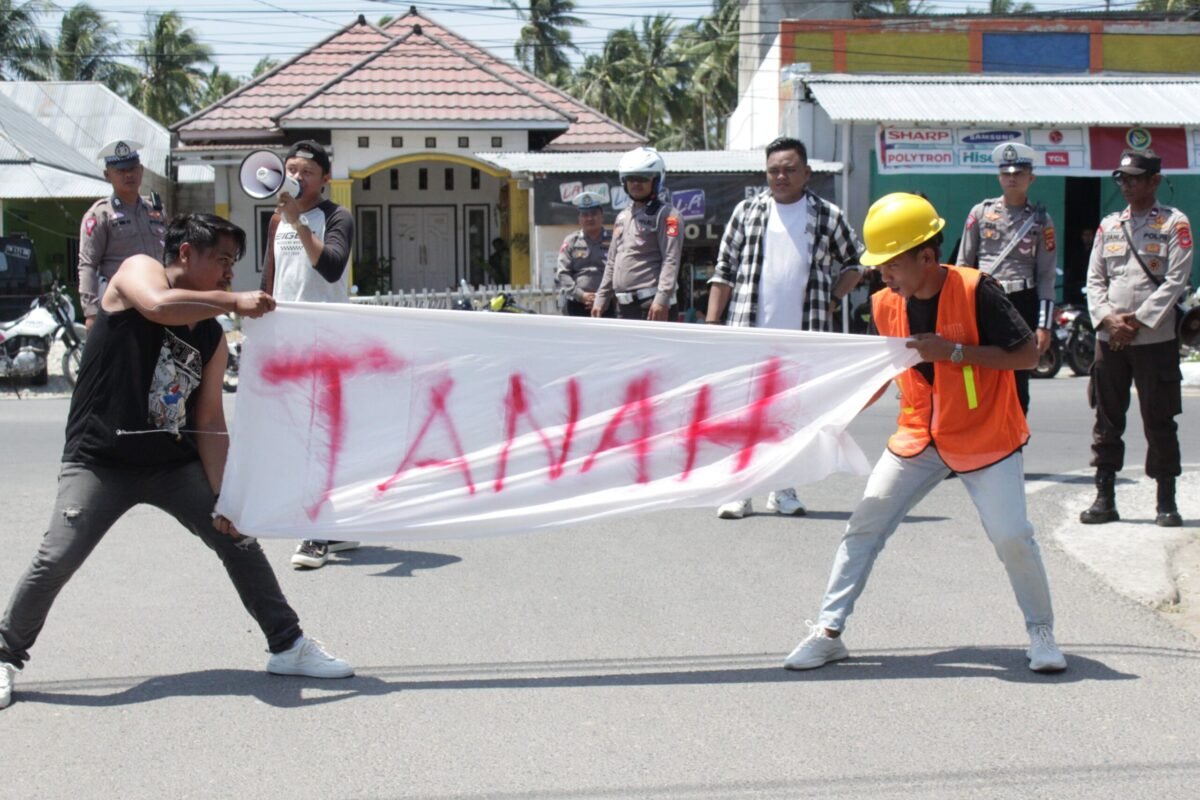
89,50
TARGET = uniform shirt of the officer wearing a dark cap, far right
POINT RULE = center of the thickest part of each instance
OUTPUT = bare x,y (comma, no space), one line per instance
1117,284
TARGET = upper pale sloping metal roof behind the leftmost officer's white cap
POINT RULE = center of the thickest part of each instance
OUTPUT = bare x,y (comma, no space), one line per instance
88,116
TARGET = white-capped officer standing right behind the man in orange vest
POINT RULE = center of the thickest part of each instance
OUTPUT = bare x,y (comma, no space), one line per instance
1015,242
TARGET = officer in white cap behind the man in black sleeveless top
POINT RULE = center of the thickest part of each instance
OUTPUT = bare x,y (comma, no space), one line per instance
119,226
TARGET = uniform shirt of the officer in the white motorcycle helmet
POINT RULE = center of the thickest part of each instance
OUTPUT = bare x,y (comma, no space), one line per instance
647,245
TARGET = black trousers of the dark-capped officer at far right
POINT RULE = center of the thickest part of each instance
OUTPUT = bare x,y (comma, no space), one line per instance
1155,371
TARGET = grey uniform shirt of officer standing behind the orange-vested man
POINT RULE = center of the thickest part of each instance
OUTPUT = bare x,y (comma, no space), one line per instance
1030,264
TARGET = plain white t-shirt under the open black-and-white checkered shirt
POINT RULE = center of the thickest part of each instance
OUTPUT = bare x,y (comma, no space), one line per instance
785,267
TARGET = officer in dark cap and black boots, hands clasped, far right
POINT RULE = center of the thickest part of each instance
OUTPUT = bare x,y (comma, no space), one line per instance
1142,261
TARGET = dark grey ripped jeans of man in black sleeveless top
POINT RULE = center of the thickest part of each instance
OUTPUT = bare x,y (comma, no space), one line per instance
91,502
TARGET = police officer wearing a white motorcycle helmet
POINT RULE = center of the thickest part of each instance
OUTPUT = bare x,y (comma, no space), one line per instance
647,245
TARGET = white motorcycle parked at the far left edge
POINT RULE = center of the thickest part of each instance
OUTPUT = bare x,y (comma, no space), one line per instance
26,342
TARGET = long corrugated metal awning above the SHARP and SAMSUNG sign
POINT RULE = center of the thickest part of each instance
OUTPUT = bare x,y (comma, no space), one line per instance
1009,100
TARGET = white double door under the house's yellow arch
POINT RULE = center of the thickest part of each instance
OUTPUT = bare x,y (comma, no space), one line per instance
424,254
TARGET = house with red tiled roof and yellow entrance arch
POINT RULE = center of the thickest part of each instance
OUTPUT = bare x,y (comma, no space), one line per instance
411,112
